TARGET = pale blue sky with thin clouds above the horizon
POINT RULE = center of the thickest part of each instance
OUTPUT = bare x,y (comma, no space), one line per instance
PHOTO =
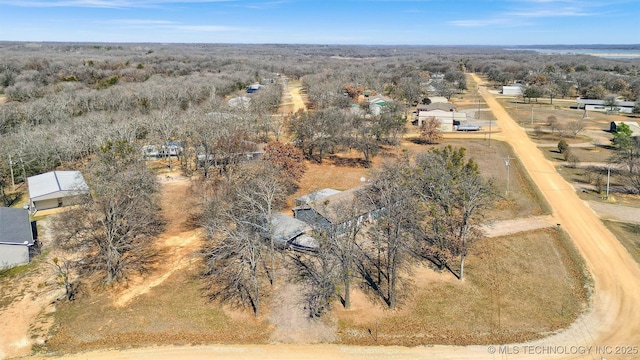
365,22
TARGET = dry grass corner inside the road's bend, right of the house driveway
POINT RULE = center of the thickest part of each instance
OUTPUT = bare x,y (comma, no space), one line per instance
516,289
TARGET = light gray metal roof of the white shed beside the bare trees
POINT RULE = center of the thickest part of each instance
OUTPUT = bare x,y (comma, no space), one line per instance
56,184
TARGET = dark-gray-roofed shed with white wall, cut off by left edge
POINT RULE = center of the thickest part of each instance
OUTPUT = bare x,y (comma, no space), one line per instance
16,237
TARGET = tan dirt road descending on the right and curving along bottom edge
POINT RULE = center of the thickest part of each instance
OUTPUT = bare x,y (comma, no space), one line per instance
611,320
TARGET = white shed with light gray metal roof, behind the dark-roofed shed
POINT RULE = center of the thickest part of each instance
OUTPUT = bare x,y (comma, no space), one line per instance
55,189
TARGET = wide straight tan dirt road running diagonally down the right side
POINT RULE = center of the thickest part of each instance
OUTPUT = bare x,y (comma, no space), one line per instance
612,318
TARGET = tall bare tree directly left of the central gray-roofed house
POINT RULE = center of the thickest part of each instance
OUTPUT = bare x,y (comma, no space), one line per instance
238,220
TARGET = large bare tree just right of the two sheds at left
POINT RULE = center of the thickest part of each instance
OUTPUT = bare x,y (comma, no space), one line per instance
113,228
